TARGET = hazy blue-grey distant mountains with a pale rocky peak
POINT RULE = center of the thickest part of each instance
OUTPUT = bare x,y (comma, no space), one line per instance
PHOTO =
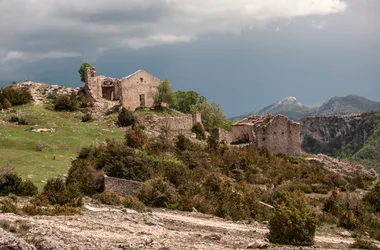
294,110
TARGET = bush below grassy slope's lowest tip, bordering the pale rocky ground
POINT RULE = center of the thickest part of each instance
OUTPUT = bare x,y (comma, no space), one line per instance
59,194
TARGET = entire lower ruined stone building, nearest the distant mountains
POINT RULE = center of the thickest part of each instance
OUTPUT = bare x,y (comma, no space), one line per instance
276,133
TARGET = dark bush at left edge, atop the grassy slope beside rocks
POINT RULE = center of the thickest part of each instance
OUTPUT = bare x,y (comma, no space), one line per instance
14,97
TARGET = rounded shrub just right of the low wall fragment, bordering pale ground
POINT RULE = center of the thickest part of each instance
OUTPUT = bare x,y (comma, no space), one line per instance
158,193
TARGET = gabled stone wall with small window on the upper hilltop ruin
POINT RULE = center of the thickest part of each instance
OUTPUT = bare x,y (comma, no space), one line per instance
138,90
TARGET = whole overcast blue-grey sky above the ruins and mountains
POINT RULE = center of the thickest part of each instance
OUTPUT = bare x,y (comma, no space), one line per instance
244,54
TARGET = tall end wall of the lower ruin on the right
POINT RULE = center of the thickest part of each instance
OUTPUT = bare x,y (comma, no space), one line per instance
279,136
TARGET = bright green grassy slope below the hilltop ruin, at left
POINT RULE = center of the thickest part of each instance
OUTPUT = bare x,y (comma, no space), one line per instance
19,145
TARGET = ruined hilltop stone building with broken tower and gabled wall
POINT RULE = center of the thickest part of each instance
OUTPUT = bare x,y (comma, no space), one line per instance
132,91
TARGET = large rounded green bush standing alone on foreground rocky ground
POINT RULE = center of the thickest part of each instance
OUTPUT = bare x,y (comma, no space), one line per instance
292,222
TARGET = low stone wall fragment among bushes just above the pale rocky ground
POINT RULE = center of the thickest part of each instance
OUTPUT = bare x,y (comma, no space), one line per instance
121,187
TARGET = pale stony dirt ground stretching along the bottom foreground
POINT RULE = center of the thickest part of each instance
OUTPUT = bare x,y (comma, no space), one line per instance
103,227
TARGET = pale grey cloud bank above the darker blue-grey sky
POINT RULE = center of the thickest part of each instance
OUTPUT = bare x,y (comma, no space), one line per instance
32,30
